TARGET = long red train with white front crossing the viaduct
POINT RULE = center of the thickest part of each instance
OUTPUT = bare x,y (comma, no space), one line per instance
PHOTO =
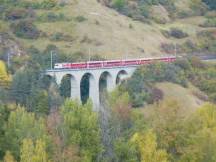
112,63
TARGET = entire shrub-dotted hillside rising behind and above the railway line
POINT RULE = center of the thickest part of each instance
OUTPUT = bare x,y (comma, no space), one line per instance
26,23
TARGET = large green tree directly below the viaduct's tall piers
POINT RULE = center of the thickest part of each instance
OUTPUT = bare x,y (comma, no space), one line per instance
80,127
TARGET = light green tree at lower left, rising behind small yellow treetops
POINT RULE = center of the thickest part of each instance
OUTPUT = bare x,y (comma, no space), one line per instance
21,125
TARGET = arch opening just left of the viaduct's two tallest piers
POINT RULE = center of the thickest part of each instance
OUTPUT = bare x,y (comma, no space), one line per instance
72,86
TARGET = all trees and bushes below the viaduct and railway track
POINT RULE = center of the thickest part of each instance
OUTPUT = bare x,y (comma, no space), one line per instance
53,128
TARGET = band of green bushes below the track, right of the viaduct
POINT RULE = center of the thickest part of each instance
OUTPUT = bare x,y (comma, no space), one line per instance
141,86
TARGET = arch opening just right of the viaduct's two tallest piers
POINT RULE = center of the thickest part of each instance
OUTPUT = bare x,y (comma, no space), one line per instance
105,85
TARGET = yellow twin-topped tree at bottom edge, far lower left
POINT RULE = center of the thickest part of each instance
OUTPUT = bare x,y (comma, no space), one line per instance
31,153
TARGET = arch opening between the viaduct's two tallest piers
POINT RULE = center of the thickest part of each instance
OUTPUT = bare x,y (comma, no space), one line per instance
87,87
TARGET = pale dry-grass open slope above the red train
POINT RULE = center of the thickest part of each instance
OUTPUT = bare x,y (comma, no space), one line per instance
107,33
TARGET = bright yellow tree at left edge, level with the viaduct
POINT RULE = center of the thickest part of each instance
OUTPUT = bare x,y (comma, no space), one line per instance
5,79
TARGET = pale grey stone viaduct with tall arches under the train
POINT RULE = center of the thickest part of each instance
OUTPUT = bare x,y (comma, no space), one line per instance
113,76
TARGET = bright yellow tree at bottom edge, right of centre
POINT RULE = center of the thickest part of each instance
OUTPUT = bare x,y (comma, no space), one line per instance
147,146
